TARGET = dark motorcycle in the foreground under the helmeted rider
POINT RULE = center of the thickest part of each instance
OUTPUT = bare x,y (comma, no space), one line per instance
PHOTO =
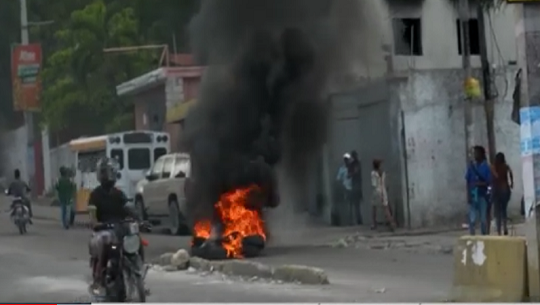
125,270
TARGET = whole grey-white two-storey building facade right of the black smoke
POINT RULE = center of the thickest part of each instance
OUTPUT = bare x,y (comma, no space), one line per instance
406,102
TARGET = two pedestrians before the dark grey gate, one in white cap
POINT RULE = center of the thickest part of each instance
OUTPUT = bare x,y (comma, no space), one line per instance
350,178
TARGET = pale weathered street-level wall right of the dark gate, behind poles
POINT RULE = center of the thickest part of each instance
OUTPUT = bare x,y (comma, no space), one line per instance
435,144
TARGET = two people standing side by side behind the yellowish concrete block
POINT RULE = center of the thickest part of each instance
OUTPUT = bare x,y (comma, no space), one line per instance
489,185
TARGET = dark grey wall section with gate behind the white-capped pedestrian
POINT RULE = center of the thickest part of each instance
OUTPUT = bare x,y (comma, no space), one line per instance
366,120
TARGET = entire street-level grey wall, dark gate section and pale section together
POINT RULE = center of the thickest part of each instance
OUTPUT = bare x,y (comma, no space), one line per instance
415,124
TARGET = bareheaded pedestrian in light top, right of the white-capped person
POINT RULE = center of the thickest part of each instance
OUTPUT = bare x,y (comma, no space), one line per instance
380,195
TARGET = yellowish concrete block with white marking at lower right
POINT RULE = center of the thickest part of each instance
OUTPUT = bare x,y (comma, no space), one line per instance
490,269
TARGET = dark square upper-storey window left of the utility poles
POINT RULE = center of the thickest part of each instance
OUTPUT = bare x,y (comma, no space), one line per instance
407,36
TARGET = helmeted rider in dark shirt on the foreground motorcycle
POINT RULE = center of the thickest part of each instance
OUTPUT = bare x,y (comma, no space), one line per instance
107,205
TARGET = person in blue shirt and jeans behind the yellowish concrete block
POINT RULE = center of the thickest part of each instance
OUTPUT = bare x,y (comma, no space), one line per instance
478,178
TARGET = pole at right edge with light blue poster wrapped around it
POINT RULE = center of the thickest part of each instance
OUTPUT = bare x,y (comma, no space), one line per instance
525,29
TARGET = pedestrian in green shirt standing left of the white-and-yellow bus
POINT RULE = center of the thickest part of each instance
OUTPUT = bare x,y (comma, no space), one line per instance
65,189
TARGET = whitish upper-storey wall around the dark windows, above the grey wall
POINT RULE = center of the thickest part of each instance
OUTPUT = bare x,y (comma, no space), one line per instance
439,36
